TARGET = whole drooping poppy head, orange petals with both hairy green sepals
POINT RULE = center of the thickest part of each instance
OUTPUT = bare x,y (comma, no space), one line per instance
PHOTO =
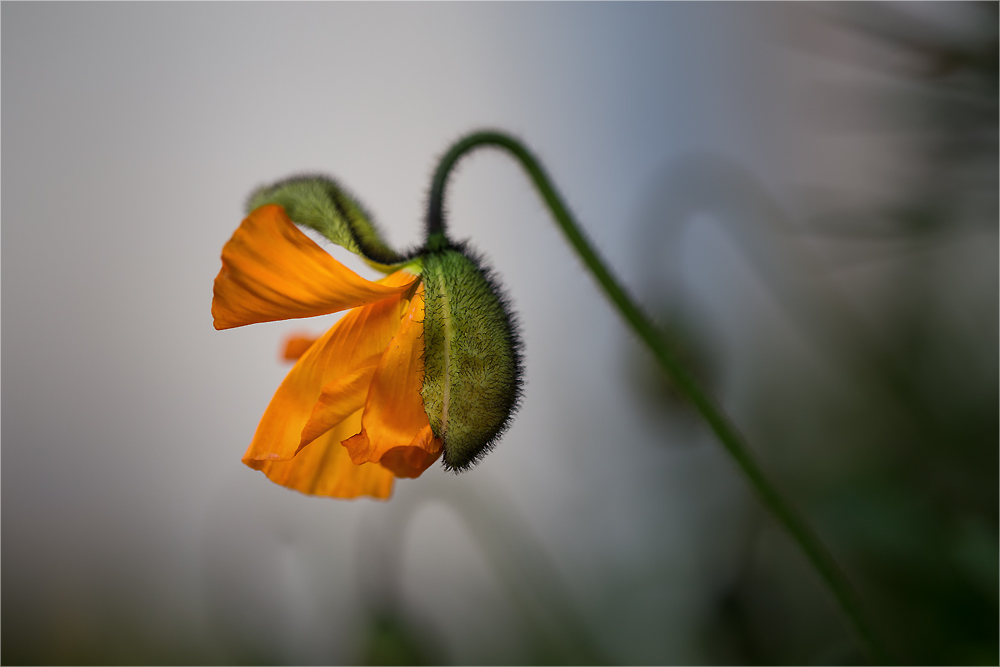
424,365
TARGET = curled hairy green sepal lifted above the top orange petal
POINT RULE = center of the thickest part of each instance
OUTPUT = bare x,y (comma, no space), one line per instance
322,204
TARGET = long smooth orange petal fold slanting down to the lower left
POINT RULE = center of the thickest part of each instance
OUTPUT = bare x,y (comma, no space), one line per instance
356,341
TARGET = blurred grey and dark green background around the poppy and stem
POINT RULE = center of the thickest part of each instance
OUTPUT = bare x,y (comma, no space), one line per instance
804,196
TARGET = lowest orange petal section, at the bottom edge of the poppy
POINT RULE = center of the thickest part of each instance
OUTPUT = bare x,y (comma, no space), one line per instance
324,468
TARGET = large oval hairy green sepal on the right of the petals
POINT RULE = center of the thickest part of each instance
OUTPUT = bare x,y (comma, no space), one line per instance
472,366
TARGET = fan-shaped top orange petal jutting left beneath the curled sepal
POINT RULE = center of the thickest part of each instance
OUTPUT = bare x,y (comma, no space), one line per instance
272,271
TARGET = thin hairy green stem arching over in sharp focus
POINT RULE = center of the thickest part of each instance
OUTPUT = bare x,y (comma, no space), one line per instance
726,432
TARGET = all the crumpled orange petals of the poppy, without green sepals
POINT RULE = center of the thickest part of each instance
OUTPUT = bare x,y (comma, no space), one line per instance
358,385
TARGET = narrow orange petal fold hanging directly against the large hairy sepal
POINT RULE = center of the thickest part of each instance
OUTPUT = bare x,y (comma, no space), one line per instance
394,414
